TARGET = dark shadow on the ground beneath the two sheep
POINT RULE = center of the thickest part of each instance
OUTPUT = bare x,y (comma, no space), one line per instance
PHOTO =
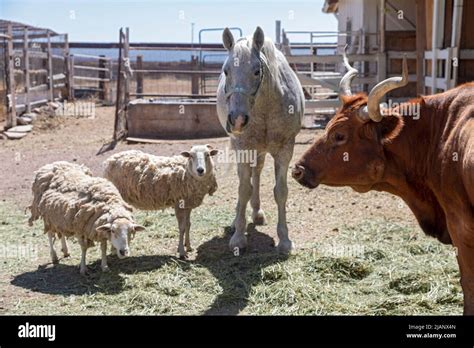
62,279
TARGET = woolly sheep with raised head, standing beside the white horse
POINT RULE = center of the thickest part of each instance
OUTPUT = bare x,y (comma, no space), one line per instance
151,182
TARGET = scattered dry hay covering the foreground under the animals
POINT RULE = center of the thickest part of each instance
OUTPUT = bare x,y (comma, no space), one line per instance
374,268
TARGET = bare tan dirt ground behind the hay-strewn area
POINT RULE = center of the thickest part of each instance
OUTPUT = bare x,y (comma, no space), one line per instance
80,139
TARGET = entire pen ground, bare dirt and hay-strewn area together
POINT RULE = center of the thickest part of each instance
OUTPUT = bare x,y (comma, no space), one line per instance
399,271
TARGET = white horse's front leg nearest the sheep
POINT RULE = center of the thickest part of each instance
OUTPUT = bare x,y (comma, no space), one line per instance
239,240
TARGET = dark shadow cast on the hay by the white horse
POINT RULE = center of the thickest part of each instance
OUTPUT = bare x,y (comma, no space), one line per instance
236,274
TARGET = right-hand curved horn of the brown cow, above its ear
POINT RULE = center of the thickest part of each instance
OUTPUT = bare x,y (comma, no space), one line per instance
372,109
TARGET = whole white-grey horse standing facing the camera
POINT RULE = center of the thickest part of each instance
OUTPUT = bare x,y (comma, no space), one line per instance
260,103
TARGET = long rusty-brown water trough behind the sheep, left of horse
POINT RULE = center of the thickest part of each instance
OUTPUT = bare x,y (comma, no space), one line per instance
173,118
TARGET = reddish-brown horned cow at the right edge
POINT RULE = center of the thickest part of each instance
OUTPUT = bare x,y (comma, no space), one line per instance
427,159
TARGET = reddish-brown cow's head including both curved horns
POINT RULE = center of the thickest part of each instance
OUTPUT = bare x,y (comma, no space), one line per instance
351,151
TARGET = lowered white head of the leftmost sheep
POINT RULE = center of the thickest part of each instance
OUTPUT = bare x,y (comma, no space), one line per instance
119,233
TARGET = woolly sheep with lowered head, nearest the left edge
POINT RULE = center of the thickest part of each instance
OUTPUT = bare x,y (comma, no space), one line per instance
73,203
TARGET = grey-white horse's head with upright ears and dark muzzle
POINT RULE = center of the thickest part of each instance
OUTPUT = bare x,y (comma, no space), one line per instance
243,69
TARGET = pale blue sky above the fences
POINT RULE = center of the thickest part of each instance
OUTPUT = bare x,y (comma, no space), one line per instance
165,20
